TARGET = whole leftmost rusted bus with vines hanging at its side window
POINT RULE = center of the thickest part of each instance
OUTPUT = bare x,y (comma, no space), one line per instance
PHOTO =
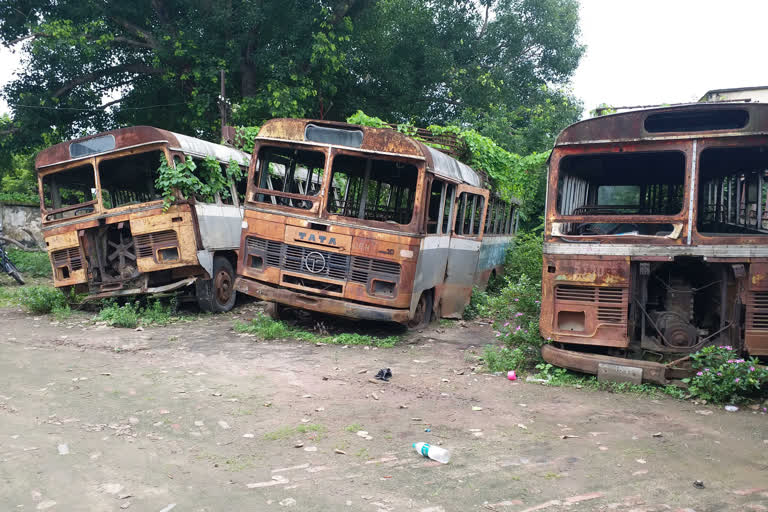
104,224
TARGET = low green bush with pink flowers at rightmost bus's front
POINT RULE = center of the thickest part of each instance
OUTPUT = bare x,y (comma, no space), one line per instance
722,376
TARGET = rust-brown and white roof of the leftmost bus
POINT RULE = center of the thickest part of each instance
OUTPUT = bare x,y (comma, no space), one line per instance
131,137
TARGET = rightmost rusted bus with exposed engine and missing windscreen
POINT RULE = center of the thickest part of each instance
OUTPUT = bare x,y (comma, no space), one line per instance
656,239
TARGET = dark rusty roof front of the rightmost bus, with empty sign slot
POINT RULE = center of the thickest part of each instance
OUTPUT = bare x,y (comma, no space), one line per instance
693,121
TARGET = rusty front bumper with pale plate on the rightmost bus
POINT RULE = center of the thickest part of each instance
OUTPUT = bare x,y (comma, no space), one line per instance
657,373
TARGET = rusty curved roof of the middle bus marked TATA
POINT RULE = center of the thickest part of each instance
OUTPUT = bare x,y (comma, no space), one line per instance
383,141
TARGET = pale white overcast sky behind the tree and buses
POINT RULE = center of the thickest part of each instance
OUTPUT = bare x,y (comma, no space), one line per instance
647,52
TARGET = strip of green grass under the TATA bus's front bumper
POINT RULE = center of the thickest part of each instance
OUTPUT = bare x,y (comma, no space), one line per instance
266,329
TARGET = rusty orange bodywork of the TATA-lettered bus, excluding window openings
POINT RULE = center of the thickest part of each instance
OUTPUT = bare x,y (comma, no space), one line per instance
316,259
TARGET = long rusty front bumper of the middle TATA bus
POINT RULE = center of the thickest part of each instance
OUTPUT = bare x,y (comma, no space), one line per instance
327,305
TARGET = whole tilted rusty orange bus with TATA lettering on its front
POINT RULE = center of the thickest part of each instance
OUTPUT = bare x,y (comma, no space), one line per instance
366,223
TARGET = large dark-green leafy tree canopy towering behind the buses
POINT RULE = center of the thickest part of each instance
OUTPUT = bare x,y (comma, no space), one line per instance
90,65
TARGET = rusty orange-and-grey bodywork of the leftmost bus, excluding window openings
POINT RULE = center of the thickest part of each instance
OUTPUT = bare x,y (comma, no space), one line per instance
134,247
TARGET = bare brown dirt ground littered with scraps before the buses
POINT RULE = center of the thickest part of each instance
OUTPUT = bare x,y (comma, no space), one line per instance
194,417
